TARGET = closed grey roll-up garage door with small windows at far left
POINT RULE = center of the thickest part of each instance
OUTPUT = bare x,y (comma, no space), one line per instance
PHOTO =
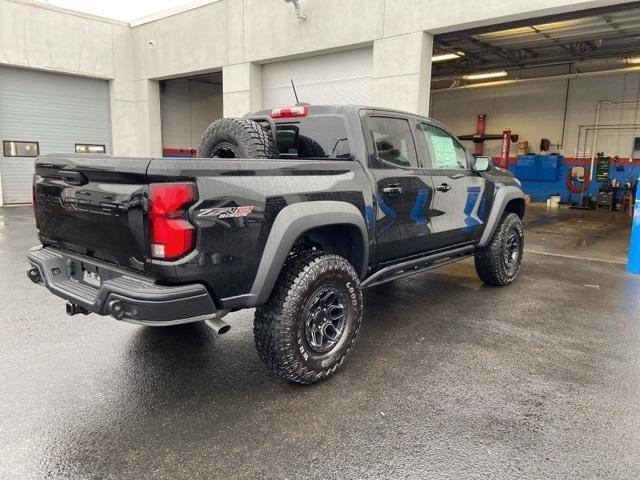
50,112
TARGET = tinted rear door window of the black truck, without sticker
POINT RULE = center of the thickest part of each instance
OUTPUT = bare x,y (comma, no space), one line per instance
394,142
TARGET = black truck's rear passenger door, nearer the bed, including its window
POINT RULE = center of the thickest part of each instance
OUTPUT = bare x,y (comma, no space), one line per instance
403,188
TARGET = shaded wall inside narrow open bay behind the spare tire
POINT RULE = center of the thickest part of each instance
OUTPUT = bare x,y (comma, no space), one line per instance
187,108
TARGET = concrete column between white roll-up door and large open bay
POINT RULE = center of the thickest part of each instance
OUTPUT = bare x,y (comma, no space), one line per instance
402,72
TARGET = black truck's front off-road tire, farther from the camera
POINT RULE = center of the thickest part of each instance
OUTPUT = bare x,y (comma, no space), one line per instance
491,262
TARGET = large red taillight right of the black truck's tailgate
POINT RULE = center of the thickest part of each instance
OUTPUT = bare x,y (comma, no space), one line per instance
171,233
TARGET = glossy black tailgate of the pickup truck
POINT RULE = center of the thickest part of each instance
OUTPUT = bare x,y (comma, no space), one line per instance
93,205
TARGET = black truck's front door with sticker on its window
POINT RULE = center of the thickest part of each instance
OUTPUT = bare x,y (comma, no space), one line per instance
459,206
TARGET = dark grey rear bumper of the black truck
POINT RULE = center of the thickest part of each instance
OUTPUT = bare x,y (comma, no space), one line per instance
121,294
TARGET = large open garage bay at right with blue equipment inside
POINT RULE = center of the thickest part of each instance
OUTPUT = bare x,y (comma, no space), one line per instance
566,89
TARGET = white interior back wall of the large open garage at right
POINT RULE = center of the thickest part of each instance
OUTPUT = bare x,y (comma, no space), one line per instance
535,110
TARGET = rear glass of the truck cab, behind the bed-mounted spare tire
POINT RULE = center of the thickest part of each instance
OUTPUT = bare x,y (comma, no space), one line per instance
314,137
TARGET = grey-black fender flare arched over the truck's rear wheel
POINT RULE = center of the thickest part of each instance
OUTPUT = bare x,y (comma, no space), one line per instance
292,221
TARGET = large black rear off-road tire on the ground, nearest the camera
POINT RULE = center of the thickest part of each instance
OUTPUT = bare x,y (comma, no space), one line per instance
279,326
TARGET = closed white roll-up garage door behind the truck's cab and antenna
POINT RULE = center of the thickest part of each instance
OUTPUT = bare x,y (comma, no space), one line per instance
334,78
